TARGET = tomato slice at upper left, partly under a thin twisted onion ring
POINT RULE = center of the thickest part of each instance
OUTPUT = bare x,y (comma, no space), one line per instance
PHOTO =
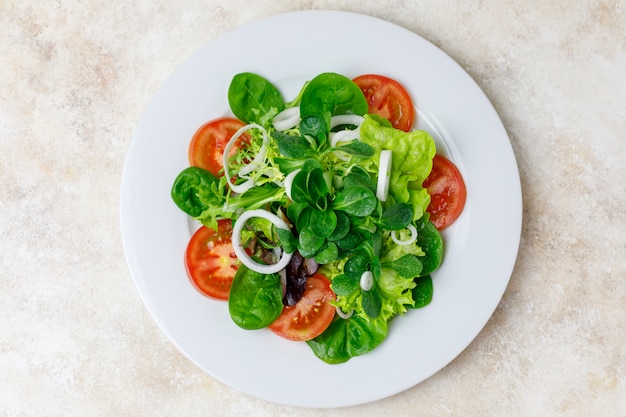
206,149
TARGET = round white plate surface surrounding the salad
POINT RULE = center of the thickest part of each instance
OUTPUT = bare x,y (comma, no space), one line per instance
288,49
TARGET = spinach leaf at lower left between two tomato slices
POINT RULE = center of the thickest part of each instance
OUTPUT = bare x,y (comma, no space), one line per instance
255,299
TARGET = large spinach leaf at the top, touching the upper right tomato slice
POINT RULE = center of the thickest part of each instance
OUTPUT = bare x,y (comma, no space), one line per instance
332,93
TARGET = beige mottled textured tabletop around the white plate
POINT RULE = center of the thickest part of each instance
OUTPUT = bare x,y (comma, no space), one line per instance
75,338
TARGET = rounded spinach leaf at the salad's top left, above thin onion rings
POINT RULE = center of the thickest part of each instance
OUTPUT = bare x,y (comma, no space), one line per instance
253,99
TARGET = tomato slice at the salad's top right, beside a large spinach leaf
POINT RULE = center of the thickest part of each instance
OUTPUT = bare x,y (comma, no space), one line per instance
387,98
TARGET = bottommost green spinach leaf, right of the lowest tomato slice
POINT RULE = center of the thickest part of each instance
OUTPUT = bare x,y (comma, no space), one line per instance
345,339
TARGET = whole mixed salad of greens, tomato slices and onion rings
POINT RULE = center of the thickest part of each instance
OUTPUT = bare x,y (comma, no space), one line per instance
321,216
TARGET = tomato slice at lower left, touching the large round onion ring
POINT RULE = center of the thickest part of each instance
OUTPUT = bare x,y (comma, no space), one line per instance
211,261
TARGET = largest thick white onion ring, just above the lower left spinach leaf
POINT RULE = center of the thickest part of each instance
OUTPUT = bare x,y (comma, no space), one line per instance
241,252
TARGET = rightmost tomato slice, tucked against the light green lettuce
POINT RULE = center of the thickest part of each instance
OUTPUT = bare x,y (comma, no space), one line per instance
447,192
